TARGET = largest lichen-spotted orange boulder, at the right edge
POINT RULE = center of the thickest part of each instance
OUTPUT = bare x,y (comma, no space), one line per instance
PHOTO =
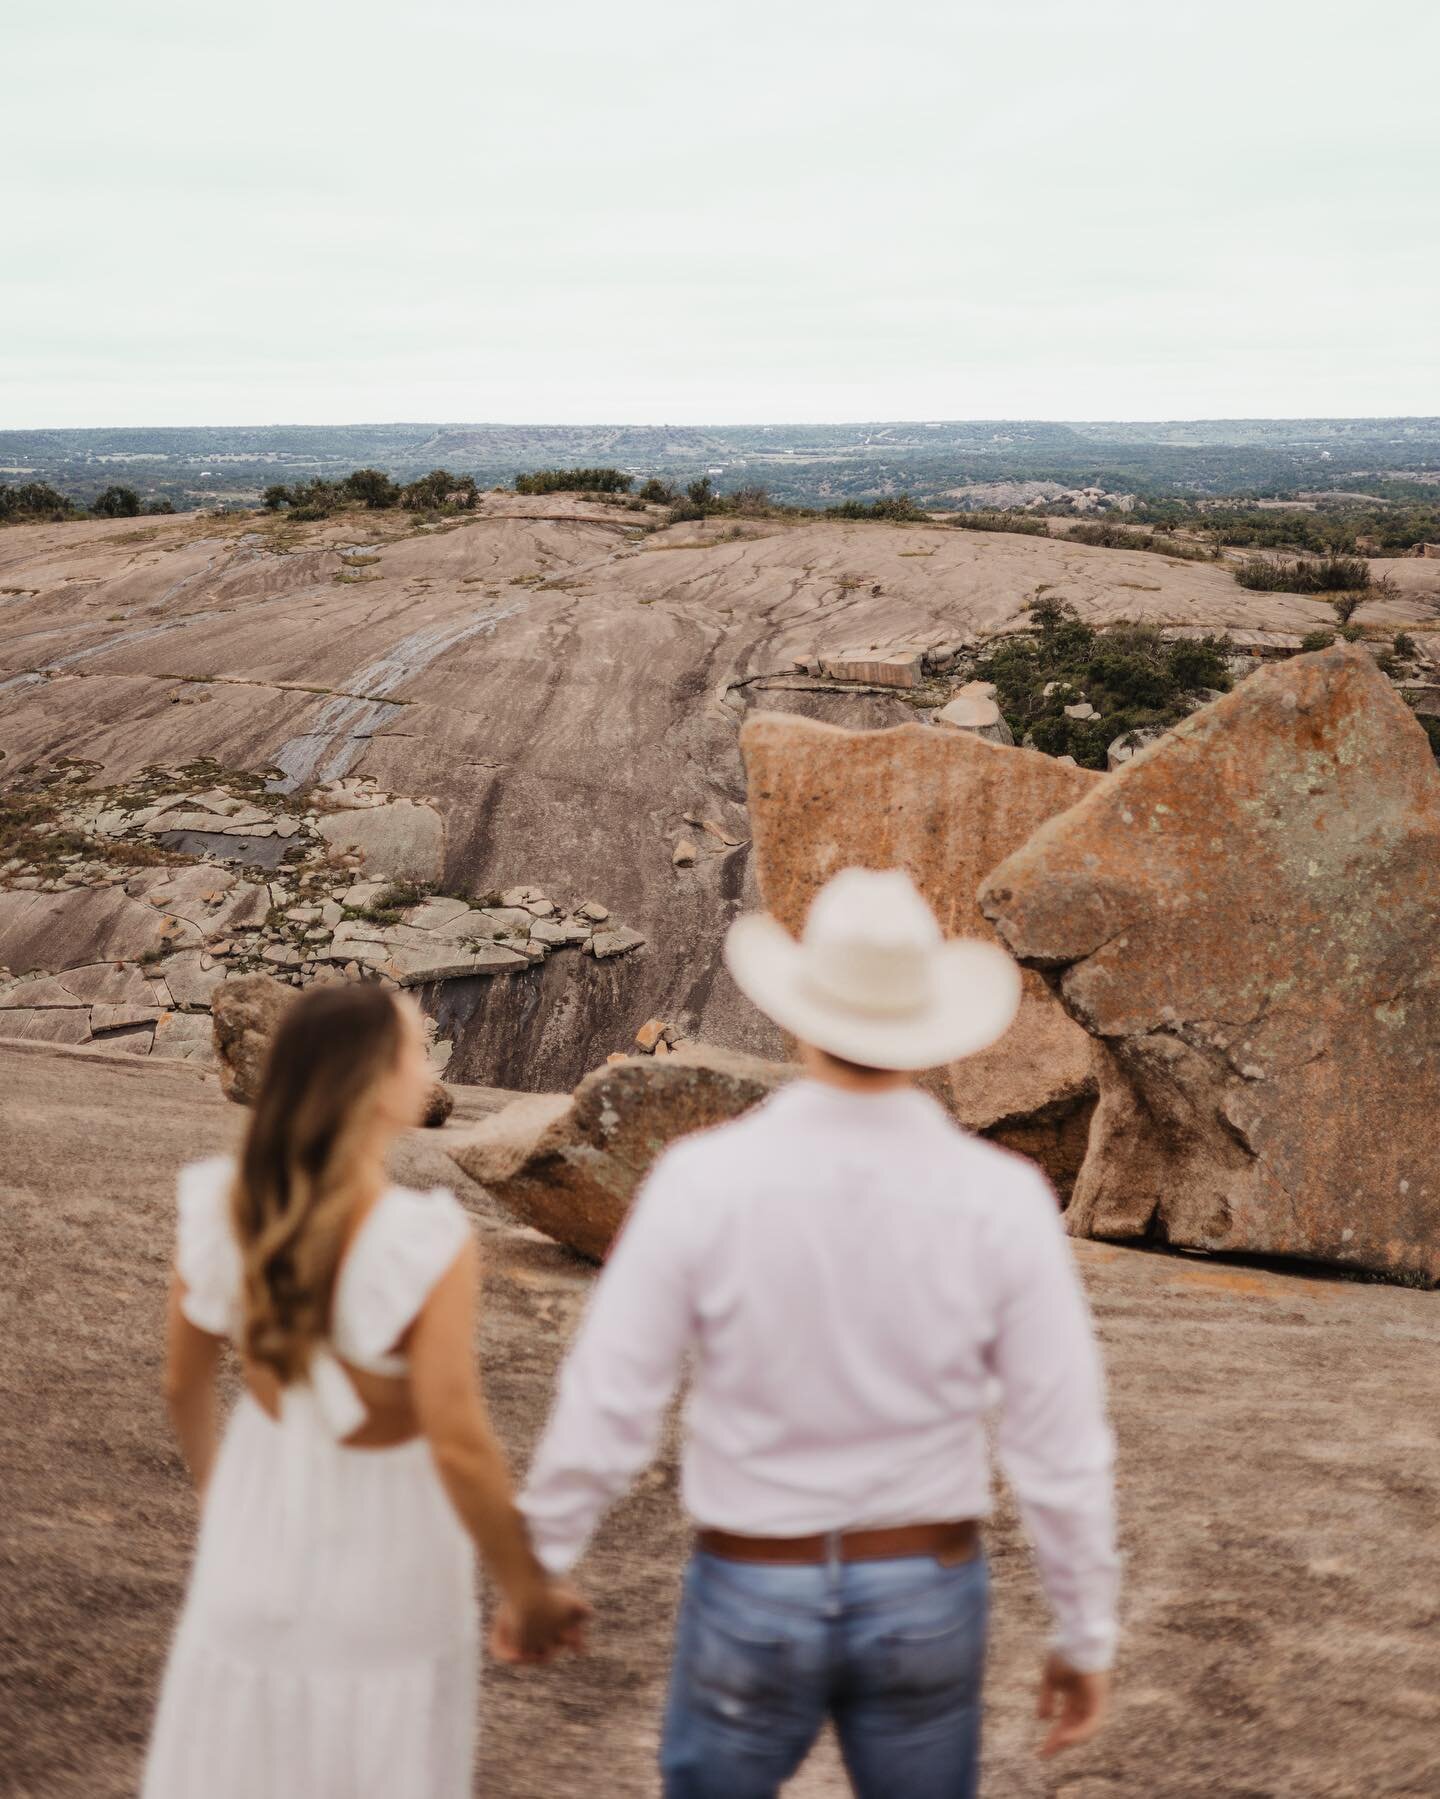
1248,920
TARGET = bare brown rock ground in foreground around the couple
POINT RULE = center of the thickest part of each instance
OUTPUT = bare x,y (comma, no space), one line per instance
1279,1496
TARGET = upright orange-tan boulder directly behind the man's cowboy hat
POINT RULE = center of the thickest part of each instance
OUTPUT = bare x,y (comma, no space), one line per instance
946,807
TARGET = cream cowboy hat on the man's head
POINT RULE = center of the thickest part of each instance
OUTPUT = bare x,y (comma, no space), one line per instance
874,981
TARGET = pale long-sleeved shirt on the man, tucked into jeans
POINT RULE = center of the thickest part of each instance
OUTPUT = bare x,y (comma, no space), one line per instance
858,1282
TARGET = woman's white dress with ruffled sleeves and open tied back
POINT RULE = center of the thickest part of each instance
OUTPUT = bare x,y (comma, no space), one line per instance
327,1649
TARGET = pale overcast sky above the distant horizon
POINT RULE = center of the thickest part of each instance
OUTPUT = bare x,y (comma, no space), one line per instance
796,210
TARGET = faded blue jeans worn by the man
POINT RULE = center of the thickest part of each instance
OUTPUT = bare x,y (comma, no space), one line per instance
892,1651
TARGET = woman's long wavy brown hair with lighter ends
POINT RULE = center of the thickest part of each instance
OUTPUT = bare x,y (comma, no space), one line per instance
292,1199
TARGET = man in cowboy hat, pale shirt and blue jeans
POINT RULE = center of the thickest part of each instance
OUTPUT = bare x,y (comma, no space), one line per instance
858,1282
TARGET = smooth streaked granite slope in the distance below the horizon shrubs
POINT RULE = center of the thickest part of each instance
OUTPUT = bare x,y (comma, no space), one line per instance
561,688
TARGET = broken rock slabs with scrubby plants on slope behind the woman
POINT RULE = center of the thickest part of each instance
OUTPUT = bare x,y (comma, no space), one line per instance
120,918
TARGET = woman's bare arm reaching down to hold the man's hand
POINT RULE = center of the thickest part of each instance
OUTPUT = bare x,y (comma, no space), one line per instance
472,1465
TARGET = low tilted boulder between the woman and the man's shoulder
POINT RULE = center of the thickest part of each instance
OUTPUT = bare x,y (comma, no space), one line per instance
570,1167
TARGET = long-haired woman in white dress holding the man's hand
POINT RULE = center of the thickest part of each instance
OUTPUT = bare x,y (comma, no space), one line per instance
328,1645
